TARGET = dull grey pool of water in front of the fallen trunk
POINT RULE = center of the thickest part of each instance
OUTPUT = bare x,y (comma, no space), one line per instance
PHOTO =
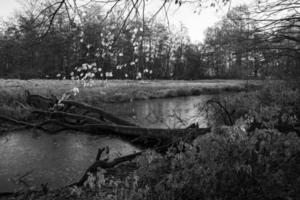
54,159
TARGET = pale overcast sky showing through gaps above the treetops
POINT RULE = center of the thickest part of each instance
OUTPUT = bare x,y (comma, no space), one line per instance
195,22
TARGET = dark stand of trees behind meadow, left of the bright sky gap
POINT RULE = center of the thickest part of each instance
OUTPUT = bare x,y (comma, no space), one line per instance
140,50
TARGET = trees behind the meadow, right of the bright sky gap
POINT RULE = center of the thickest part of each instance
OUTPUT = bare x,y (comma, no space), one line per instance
239,46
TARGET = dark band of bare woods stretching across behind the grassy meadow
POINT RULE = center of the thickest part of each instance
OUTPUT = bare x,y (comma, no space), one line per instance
63,40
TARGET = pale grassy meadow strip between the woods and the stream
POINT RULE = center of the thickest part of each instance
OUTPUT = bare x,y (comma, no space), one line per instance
120,90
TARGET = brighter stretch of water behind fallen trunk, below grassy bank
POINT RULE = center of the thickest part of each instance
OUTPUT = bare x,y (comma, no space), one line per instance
163,113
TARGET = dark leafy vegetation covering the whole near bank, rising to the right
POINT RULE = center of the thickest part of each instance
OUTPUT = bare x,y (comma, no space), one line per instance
252,153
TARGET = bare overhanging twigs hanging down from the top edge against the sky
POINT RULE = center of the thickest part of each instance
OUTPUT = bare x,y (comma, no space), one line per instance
52,8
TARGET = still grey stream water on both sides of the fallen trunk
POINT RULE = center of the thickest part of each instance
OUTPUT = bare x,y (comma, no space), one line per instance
61,159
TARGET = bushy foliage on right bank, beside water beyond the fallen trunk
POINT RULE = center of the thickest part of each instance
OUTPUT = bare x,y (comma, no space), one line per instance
276,105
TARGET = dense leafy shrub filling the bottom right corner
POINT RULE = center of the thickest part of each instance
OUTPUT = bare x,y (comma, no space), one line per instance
230,164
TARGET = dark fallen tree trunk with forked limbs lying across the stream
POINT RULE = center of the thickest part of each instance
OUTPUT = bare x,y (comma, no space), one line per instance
56,120
